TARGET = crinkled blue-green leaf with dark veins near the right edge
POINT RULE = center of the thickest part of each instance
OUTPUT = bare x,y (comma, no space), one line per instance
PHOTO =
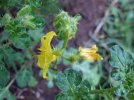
120,58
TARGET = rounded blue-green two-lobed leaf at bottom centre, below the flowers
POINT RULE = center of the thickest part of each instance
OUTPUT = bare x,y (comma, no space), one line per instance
68,80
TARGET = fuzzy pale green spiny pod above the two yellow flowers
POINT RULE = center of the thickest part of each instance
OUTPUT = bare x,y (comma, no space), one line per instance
65,25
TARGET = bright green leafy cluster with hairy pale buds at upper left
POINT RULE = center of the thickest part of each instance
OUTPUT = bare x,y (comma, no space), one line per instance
18,28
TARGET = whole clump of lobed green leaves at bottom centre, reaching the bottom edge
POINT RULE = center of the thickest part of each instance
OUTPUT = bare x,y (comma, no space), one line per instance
72,86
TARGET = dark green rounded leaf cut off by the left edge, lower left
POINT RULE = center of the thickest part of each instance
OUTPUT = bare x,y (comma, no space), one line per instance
4,76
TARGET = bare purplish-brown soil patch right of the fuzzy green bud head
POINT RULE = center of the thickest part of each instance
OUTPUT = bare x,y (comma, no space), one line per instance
91,11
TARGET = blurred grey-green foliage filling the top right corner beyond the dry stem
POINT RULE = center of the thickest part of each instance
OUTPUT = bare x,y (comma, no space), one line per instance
119,24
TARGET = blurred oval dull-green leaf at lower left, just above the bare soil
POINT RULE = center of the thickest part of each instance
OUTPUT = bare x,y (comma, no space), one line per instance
23,77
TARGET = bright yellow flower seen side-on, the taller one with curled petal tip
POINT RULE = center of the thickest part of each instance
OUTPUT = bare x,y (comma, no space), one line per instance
46,55
